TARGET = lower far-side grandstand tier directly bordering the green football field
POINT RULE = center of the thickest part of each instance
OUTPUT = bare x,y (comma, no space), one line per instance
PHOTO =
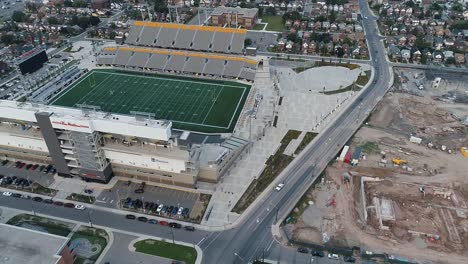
161,60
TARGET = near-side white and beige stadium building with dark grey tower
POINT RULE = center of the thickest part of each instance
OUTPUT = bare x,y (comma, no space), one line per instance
95,145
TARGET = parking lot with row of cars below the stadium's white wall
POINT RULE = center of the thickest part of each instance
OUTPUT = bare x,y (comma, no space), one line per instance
154,194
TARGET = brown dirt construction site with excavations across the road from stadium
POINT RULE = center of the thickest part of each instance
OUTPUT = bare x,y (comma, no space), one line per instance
400,186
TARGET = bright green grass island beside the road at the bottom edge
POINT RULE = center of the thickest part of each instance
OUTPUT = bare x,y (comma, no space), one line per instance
167,250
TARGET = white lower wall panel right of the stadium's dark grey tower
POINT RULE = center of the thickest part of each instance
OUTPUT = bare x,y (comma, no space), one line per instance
145,161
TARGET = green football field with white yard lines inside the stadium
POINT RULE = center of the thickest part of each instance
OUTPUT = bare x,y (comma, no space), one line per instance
192,104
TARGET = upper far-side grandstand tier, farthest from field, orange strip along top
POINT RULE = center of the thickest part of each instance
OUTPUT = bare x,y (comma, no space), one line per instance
187,37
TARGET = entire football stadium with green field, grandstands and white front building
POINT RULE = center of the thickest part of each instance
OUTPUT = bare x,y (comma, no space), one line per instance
164,107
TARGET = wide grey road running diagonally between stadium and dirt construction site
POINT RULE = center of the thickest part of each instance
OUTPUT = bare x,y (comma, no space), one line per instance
250,239
